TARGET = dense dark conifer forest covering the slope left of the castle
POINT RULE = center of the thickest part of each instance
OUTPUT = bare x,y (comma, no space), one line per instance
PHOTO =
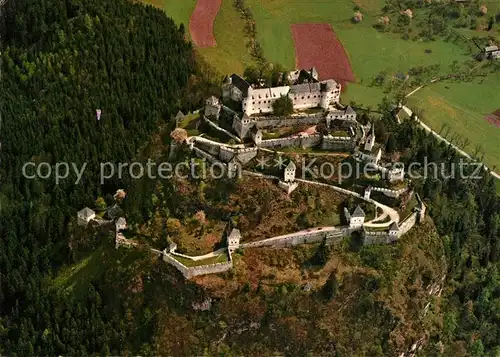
62,60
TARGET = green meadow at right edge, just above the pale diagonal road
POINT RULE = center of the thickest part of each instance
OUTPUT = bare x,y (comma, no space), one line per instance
462,107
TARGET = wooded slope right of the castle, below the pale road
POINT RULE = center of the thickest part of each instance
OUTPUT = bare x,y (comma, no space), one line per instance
466,212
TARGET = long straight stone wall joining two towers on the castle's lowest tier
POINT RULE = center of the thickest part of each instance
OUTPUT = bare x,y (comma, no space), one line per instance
314,235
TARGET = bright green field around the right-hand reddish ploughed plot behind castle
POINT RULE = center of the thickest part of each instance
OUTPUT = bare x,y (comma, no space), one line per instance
369,51
